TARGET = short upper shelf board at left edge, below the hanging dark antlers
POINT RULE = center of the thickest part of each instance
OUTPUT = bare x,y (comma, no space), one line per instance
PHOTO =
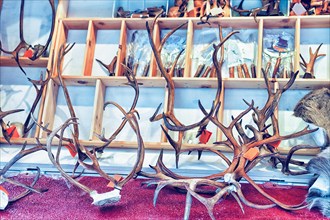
24,61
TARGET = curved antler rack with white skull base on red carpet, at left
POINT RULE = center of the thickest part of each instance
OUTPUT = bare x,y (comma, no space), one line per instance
83,152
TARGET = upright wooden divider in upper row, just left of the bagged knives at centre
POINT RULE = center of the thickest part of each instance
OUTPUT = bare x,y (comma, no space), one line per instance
189,46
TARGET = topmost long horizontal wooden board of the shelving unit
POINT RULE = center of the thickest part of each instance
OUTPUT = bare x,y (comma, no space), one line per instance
321,21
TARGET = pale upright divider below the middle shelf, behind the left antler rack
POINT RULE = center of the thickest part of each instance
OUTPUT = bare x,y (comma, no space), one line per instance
96,124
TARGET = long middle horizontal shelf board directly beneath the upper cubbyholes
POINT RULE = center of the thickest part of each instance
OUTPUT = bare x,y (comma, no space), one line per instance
180,82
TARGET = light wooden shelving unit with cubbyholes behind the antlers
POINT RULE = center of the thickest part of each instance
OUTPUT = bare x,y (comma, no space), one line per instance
91,26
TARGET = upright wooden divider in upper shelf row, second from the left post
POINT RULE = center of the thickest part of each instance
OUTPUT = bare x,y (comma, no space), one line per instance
121,49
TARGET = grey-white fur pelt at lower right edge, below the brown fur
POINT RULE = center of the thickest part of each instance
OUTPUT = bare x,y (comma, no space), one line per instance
319,191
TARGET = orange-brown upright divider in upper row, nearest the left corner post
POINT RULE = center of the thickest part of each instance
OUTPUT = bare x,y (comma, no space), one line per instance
89,49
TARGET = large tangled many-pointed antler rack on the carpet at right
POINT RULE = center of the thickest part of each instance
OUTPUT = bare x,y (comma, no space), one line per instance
227,181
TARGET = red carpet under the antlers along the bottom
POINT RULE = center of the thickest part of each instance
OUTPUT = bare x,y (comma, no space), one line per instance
61,202
